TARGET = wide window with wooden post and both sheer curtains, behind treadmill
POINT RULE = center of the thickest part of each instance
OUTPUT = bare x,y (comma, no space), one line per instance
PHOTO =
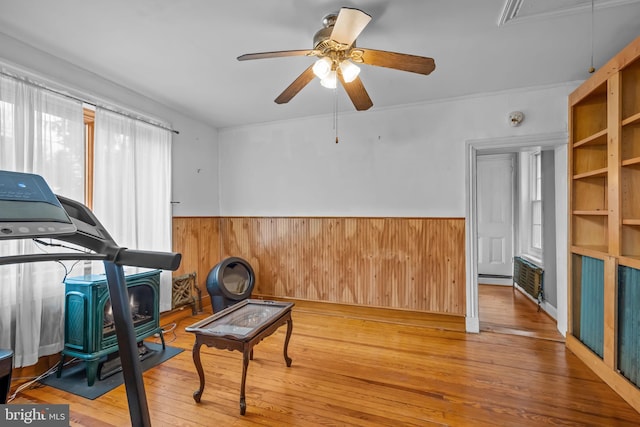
50,134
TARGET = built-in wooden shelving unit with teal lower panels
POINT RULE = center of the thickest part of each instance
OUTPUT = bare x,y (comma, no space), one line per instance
604,218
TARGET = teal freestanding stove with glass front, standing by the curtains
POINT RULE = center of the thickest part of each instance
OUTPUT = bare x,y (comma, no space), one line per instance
89,327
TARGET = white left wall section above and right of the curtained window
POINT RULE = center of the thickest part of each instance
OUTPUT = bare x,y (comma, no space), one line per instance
194,156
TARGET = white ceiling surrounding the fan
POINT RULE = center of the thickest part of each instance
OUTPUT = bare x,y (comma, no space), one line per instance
182,53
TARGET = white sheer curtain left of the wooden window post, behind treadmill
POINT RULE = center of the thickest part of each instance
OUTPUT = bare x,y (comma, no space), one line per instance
42,133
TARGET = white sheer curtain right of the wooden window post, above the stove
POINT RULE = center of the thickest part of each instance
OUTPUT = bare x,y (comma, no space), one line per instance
132,186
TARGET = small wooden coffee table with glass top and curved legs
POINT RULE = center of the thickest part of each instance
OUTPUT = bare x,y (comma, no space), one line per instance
240,327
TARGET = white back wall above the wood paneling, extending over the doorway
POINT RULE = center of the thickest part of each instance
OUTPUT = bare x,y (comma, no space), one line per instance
407,162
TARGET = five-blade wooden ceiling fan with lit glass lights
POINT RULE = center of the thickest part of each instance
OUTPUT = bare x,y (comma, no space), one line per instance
335,46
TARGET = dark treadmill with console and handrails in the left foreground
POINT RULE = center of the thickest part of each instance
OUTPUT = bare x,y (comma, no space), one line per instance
30,210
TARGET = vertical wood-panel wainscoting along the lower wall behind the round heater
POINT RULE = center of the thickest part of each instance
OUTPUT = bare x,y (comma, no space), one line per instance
413,264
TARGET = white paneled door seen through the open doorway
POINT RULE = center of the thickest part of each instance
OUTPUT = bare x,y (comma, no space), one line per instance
495,214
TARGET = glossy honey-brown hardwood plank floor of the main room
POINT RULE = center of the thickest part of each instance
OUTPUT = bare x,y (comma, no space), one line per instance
352,371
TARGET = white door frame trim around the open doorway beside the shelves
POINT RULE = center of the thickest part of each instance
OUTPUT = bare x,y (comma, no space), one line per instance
501,146
